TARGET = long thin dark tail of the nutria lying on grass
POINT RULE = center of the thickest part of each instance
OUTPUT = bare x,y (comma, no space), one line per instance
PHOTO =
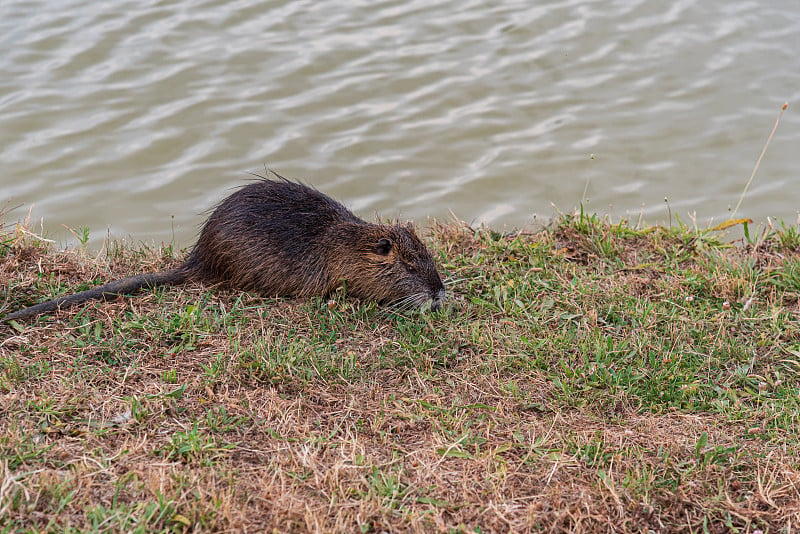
128,285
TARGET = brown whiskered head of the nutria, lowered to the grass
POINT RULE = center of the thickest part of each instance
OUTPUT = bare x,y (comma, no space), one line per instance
390,264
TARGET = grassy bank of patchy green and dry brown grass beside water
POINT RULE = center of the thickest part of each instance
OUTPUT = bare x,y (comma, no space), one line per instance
589,377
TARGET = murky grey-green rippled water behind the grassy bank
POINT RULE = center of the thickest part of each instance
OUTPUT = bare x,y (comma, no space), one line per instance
138,116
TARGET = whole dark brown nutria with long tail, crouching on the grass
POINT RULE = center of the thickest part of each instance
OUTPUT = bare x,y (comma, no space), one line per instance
282,238
